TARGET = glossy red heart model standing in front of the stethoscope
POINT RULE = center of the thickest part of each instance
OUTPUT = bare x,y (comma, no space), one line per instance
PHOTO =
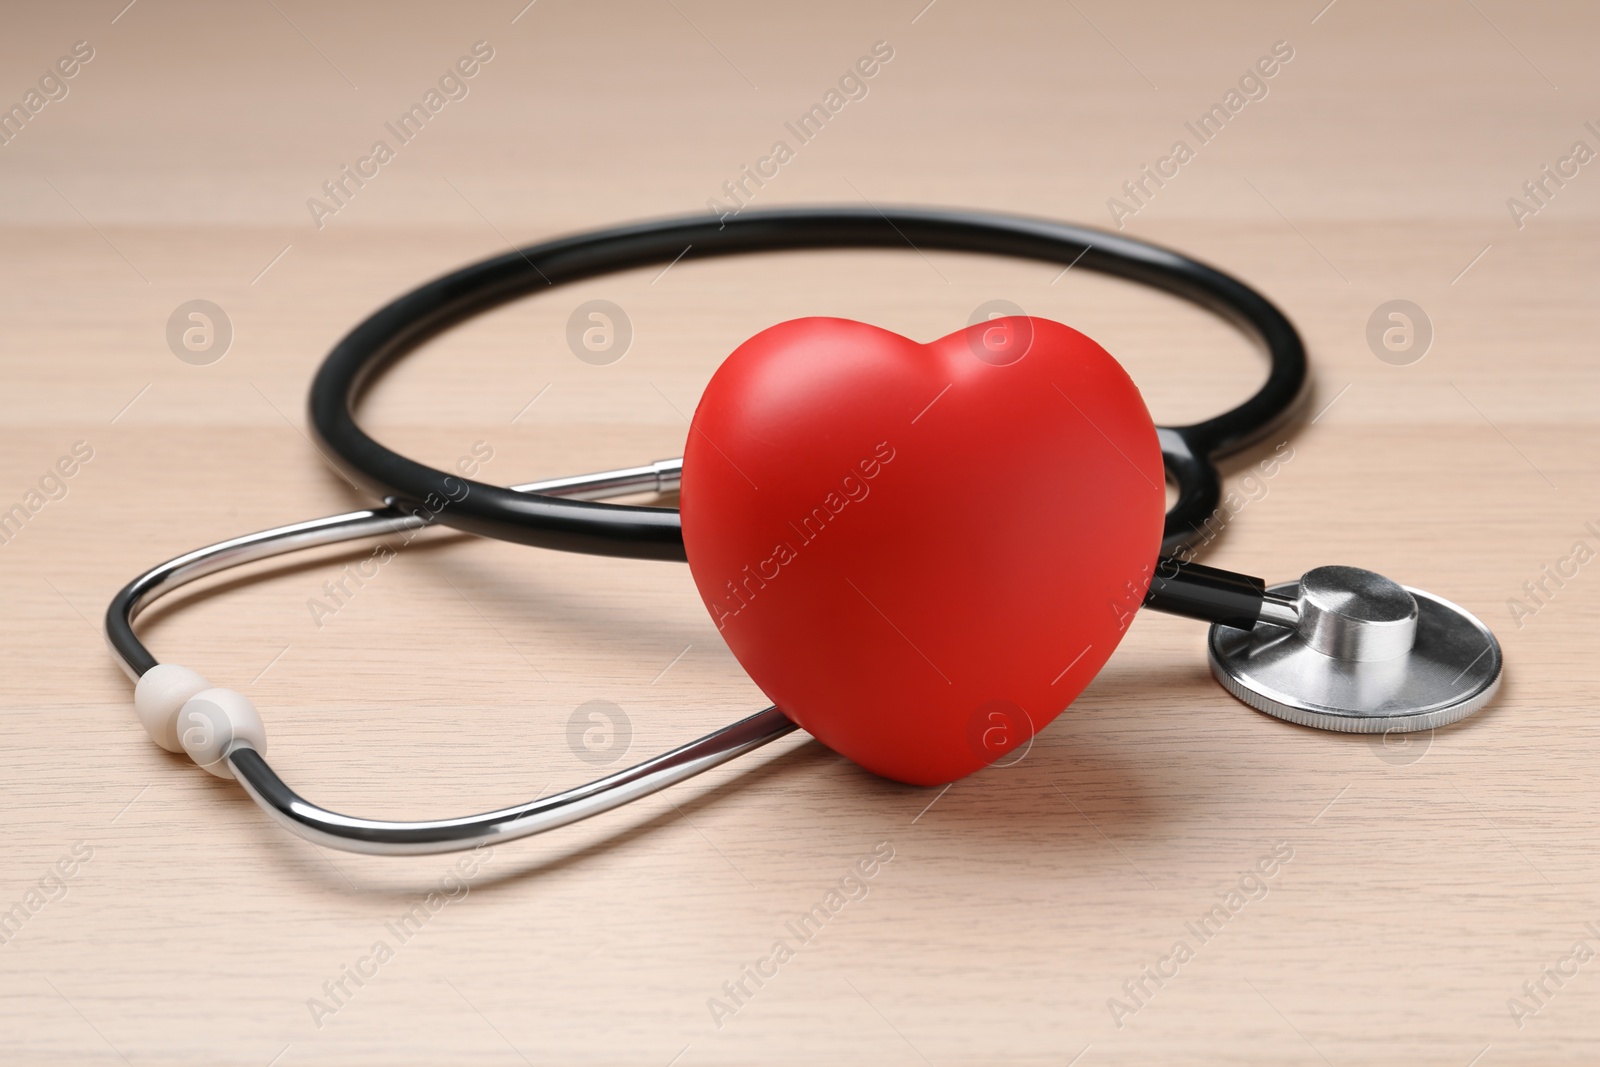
922,553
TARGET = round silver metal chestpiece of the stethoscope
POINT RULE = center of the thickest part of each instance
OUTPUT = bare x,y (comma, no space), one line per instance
1353,652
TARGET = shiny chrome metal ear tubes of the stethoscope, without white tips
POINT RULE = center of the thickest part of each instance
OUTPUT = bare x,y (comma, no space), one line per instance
433,836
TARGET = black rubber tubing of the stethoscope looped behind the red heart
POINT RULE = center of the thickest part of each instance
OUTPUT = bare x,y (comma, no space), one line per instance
654,533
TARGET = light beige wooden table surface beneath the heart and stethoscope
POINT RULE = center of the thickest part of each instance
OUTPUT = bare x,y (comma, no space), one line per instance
1428,903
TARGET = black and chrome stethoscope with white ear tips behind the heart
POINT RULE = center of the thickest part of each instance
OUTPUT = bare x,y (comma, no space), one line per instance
1342,649
